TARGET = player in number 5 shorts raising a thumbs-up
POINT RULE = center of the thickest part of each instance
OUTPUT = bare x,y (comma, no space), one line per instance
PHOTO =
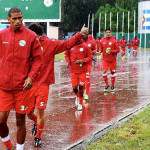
41,85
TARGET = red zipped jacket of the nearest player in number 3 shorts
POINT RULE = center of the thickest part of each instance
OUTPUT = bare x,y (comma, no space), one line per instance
20,57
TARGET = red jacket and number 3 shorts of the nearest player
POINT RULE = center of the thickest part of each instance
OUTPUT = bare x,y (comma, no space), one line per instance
20,58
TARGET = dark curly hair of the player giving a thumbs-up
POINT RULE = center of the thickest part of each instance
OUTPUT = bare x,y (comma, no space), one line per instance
37,28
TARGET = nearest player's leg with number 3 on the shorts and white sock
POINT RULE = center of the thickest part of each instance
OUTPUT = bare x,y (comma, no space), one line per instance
24,102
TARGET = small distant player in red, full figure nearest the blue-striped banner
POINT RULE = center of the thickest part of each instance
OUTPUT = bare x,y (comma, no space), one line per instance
135,42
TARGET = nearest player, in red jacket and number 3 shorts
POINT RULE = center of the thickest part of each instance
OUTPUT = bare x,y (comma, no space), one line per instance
21,61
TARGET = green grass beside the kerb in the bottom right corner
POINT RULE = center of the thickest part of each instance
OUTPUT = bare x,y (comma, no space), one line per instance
133,135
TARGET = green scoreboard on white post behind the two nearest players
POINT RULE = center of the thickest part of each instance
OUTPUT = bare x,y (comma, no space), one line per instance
46,12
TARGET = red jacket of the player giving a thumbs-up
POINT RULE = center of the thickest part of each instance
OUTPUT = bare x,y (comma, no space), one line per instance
50,49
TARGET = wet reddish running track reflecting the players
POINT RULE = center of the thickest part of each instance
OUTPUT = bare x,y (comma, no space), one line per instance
66,127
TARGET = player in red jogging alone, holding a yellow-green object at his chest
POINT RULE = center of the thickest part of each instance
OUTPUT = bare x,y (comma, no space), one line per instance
109,47
